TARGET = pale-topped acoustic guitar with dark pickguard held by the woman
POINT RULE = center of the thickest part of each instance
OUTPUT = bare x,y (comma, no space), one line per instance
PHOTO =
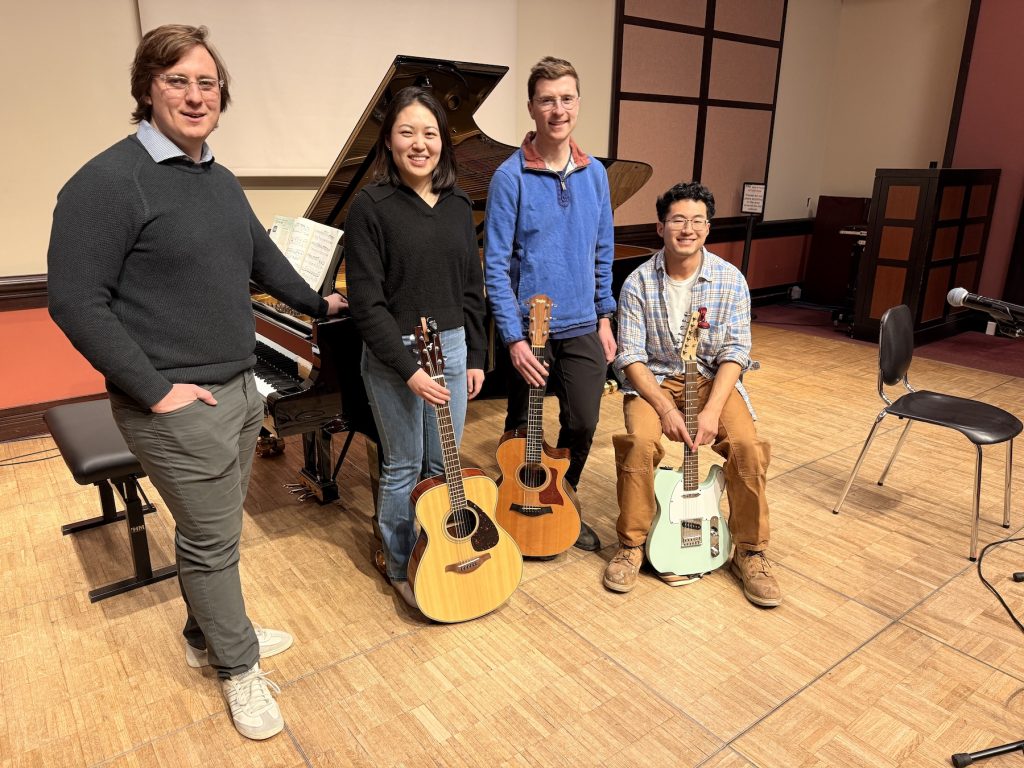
463,565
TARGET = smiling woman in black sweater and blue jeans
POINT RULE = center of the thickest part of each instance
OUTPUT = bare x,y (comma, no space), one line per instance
412,252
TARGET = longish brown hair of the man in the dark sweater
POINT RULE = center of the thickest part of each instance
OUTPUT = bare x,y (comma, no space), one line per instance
161,49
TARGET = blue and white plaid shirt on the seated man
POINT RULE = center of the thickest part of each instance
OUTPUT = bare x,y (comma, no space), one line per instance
645,335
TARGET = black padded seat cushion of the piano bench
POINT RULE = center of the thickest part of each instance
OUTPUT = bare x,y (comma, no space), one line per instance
91,443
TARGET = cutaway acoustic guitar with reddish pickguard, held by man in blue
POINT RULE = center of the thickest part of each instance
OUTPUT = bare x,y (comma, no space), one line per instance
536,504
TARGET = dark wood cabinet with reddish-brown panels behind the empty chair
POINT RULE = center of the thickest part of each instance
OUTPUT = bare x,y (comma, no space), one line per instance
926,234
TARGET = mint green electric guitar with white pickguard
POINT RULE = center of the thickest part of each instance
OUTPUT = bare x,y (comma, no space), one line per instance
690,536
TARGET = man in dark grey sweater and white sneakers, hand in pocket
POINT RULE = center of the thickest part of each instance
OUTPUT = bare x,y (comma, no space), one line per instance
151,254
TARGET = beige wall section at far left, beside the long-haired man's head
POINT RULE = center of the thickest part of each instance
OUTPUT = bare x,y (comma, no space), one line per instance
66,101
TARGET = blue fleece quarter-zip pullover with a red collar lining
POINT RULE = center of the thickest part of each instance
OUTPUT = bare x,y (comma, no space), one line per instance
552,236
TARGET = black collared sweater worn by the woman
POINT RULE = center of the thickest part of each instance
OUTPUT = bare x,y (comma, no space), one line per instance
406,261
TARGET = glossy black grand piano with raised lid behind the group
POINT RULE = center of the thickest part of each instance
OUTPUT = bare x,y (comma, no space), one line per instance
309,370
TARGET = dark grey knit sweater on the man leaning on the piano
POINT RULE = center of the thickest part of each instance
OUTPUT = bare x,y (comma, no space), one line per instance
149,272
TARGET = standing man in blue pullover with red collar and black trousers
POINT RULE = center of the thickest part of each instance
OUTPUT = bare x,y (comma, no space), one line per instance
549,232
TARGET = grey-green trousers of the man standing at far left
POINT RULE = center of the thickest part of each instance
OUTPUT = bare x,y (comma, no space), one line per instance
200,458
